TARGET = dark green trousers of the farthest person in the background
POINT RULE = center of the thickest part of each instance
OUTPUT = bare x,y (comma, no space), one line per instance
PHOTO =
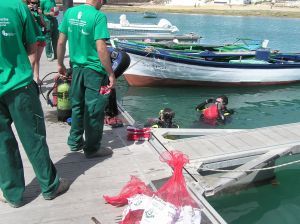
52,38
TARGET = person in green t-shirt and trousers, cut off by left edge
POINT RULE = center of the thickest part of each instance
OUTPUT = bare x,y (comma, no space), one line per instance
20,104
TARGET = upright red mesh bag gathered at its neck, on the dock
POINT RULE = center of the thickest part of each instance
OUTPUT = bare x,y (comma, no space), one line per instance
174,190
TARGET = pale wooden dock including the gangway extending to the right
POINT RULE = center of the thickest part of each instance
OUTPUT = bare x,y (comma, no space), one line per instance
93,178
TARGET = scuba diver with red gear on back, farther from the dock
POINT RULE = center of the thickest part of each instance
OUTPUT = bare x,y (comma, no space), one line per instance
215,111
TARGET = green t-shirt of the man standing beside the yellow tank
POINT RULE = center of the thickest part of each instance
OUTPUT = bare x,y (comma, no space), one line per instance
84,25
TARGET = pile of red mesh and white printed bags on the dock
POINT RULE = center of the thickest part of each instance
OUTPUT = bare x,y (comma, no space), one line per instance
146,206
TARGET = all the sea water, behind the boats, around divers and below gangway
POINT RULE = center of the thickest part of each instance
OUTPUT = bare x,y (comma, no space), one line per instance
276,202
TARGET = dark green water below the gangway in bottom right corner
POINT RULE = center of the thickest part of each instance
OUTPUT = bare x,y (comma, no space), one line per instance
277,202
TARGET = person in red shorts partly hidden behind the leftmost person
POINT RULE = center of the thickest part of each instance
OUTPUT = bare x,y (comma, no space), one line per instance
34,6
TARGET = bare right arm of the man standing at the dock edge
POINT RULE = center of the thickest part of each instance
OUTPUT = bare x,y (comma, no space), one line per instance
106,61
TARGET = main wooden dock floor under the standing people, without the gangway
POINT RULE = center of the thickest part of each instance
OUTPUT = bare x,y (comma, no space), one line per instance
91,178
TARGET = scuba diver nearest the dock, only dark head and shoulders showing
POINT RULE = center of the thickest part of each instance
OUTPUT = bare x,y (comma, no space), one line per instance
165,120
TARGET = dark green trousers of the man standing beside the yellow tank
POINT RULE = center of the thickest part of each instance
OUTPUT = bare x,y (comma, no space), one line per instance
87,109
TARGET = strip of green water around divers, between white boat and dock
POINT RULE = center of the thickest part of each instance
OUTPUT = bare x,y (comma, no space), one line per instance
255,107
